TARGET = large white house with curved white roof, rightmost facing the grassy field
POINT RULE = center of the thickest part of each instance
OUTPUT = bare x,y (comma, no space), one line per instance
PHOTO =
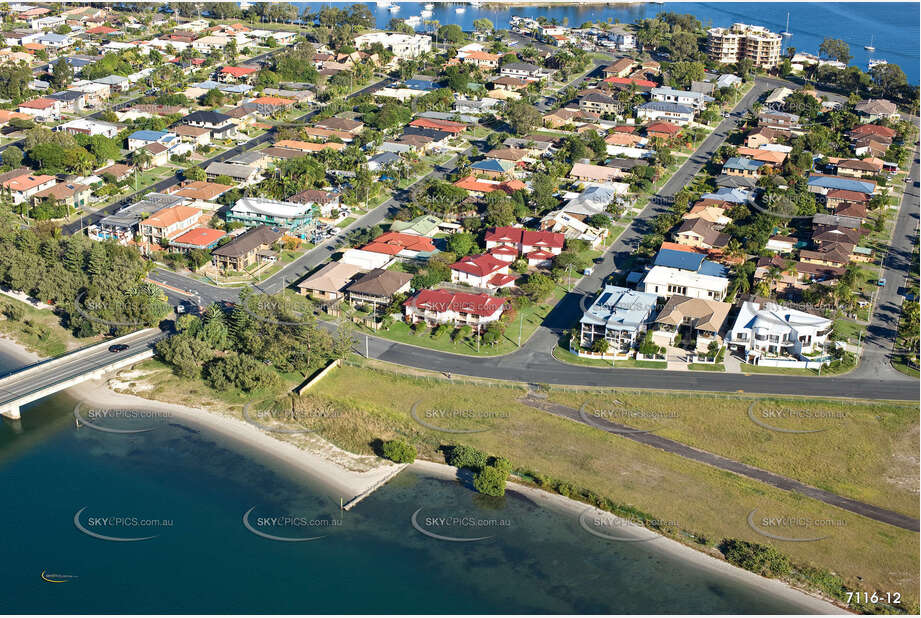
771,330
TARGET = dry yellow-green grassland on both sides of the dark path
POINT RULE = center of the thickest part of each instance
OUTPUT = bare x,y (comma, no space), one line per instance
706,502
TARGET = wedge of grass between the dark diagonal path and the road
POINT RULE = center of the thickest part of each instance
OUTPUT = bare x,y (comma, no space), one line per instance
863,450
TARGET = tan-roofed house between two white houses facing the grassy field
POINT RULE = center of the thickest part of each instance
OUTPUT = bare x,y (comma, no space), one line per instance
700,318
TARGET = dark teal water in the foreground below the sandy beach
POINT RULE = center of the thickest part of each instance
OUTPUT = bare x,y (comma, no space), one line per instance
204,561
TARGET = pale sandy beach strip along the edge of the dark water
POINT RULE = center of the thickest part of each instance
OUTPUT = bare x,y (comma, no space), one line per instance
352,486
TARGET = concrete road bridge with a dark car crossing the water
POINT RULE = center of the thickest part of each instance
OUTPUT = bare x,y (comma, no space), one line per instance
44,378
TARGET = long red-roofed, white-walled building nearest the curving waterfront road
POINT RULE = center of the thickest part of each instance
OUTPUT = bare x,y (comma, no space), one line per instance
457,308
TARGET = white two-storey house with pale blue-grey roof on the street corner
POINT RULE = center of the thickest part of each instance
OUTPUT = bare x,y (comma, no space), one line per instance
619,315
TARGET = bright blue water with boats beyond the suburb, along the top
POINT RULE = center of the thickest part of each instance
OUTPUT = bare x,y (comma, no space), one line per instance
894,25
